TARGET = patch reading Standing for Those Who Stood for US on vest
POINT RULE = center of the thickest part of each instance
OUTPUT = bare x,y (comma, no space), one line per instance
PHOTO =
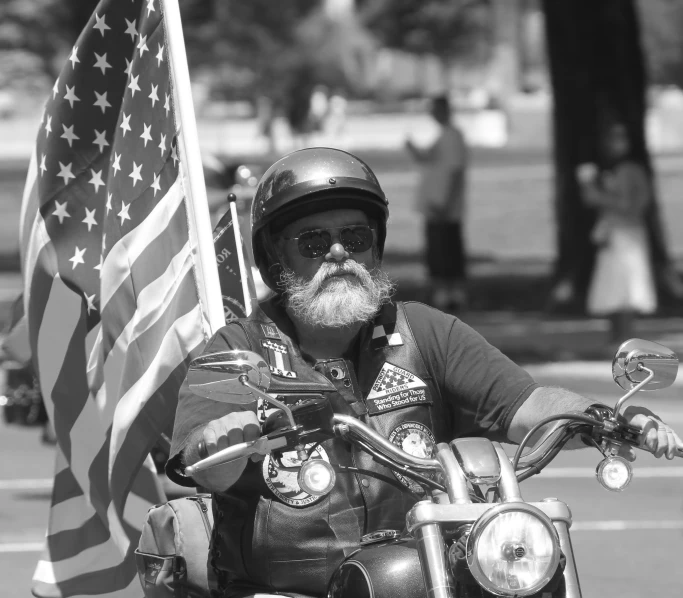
395,388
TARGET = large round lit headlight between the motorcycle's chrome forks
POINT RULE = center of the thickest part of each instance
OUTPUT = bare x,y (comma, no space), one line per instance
513,550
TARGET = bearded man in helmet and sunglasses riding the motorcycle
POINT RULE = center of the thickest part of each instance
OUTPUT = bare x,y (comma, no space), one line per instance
416,375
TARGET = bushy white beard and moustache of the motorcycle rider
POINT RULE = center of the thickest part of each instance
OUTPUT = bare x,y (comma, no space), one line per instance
334,301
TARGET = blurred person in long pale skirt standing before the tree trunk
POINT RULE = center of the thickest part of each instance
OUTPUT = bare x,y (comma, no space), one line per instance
622,285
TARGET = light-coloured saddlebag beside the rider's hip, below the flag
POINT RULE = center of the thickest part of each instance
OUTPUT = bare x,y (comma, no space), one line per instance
172,557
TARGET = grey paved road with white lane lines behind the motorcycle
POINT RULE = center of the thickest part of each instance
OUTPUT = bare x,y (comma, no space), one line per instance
627,544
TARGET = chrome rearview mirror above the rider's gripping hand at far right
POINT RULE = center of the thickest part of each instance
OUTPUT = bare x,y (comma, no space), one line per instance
636,358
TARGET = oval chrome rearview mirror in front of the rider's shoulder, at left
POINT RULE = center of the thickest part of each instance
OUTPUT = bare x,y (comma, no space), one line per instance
219,376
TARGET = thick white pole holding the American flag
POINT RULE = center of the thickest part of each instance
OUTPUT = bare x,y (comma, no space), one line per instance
197,204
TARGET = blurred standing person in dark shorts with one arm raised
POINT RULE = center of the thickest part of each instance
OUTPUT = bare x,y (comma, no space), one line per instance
441,198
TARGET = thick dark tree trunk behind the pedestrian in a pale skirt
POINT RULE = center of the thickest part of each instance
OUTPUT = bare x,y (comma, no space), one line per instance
598,76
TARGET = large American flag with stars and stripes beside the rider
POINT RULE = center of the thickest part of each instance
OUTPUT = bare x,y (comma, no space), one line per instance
118,292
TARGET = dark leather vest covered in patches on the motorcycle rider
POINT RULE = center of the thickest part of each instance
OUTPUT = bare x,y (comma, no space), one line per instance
271,535
